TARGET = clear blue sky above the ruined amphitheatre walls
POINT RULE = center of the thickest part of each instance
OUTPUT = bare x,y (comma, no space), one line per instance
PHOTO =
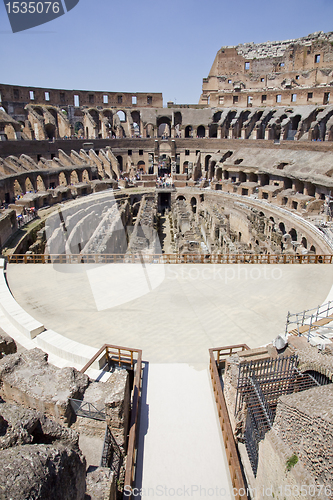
148,46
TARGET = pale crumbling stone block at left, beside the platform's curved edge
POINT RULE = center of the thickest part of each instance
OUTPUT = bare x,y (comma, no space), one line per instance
30,380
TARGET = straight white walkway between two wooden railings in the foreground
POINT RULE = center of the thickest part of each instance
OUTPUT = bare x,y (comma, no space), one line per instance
183,452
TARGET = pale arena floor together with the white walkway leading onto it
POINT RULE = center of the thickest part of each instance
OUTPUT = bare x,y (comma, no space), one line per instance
174,313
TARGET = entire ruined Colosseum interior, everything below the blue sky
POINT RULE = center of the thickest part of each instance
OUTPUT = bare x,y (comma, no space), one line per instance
170,230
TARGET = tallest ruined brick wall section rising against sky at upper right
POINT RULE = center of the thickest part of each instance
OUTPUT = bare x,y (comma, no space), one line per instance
297,71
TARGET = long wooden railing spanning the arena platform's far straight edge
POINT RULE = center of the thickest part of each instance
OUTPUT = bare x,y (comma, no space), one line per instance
169,259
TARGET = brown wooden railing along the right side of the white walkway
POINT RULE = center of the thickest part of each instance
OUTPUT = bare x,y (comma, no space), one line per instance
217,356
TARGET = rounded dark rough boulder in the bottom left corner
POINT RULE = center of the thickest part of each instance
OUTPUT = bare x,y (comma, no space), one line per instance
42,472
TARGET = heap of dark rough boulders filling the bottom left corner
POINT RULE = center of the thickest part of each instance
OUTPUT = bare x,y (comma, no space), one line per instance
39,459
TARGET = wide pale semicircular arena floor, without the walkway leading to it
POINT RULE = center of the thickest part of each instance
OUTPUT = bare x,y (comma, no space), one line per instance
174,313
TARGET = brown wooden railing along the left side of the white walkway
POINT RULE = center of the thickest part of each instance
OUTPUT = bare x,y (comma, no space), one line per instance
126,356
